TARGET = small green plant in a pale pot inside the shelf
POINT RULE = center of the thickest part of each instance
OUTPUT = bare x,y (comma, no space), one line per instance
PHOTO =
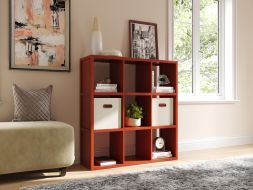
134,114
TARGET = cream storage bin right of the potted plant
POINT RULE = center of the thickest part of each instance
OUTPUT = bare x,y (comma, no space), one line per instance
162,111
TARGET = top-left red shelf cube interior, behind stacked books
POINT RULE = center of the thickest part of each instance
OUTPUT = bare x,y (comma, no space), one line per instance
112,70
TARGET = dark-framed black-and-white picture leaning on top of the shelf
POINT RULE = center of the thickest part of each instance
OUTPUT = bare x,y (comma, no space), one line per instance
143,39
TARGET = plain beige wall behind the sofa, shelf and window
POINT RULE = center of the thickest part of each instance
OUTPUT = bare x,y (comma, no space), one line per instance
196,121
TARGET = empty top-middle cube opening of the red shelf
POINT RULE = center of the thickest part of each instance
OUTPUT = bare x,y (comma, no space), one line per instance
137,77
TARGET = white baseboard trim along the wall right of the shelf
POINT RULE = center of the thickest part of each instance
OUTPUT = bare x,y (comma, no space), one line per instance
210,143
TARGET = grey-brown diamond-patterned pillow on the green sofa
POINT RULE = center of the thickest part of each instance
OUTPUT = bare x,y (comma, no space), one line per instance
32,105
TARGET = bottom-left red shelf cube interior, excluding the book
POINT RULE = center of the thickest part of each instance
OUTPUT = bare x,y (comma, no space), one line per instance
109,145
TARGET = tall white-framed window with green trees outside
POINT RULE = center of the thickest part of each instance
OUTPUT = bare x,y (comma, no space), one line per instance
201,36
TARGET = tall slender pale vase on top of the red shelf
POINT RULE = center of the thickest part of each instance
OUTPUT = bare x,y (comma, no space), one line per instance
96,38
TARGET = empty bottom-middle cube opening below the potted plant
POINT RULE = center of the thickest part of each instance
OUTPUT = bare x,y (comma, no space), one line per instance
138,145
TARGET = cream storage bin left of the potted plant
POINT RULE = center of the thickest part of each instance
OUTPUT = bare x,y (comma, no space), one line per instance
107,113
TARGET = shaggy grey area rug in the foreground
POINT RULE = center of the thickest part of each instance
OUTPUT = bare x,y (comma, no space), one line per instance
226,174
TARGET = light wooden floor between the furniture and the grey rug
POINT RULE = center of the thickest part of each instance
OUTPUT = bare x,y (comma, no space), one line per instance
14,182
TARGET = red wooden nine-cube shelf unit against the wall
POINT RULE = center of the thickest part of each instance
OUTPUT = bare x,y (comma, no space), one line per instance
134,79
